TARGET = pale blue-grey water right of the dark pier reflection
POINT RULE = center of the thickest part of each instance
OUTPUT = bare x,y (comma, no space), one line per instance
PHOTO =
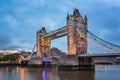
107,72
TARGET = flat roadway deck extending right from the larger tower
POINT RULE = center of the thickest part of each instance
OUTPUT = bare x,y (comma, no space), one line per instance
101,55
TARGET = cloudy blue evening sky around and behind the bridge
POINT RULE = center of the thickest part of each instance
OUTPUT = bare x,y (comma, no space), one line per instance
20,19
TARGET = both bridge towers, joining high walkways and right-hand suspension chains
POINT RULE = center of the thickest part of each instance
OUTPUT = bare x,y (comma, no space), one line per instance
77,34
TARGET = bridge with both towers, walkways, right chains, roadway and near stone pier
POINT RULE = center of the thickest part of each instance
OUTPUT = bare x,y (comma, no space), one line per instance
78,37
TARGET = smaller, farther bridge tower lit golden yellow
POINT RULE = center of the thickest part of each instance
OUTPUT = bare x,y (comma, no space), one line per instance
43,44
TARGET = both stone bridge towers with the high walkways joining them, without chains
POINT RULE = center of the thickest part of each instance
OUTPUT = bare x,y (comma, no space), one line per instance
77,43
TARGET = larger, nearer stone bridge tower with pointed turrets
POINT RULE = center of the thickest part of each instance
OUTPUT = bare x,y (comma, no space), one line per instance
77,43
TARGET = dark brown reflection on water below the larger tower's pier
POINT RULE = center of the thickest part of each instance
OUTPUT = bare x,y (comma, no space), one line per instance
76,75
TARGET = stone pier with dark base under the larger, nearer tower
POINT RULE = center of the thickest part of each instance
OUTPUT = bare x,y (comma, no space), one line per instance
76,63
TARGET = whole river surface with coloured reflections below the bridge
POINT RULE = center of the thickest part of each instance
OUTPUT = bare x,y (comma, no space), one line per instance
102,72
